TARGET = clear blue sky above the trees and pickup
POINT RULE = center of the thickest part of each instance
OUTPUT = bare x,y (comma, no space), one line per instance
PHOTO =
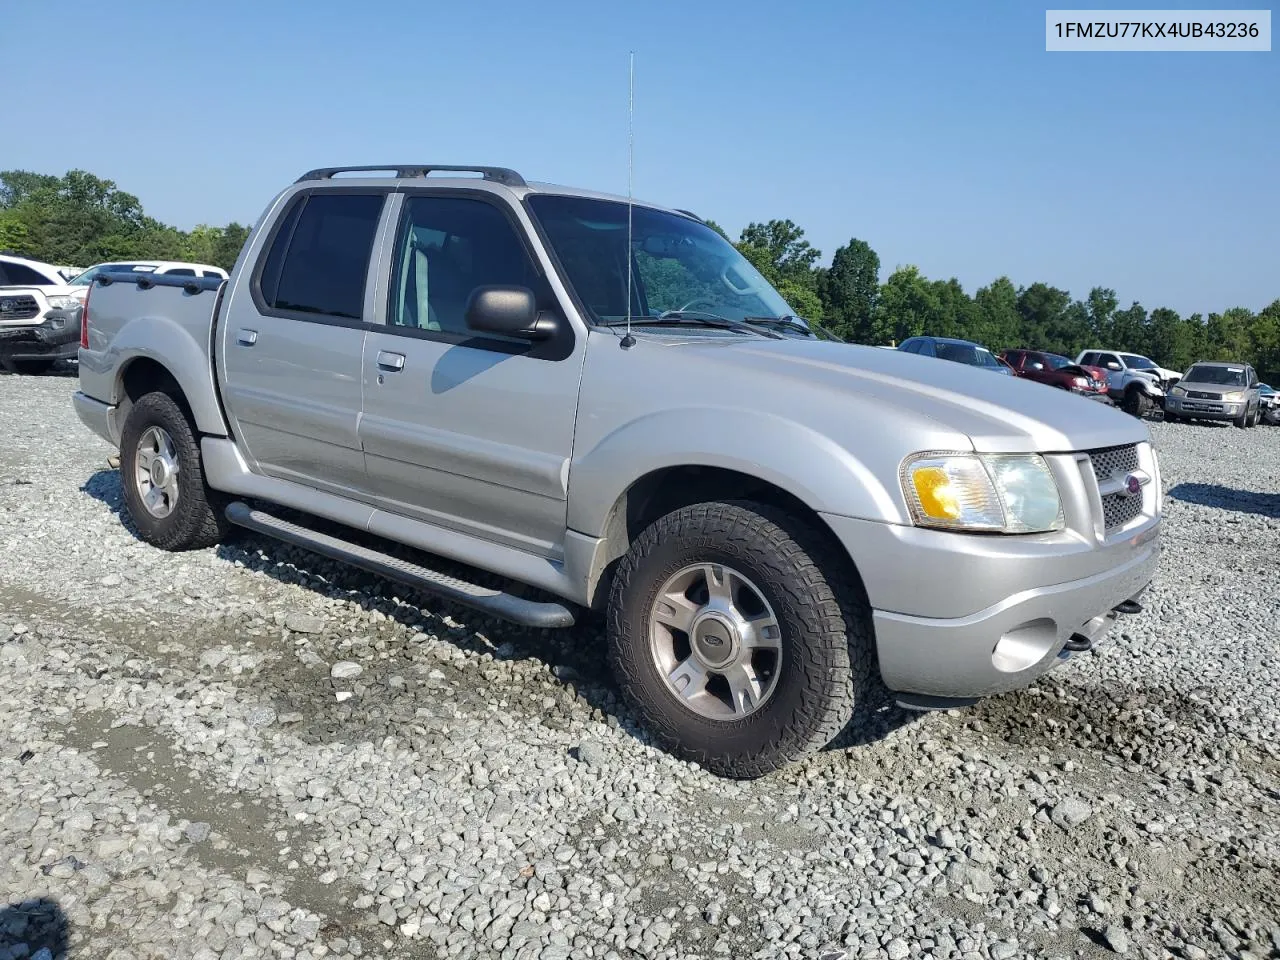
943,134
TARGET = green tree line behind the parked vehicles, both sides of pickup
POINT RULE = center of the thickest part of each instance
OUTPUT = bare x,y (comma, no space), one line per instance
80,220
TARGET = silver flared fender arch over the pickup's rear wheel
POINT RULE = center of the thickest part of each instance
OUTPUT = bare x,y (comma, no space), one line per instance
177,351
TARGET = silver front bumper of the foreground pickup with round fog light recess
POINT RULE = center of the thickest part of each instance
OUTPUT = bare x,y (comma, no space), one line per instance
962,618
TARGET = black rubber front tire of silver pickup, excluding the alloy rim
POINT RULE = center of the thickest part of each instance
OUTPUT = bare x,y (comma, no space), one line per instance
828,653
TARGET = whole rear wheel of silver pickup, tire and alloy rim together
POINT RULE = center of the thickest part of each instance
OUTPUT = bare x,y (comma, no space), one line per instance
164,481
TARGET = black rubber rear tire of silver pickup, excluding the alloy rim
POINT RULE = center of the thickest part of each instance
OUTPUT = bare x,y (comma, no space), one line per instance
198,520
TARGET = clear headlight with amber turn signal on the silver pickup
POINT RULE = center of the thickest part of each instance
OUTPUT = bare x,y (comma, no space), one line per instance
994,492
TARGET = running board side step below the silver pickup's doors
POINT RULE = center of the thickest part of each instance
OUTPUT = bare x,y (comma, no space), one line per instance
516,610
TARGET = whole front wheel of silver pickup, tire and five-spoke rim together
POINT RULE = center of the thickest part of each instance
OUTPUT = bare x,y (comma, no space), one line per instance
734,638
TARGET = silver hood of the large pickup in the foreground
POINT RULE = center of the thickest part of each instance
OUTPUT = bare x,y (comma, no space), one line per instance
998,414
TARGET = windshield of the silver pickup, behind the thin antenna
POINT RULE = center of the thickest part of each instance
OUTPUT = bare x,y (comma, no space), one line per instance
678,264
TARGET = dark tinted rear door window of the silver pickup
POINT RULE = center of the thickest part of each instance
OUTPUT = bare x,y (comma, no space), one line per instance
319,260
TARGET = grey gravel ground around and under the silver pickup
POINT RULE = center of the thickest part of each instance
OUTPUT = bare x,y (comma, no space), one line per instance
252,753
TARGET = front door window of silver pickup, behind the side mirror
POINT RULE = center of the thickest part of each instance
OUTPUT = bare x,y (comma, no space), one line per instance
447,248
